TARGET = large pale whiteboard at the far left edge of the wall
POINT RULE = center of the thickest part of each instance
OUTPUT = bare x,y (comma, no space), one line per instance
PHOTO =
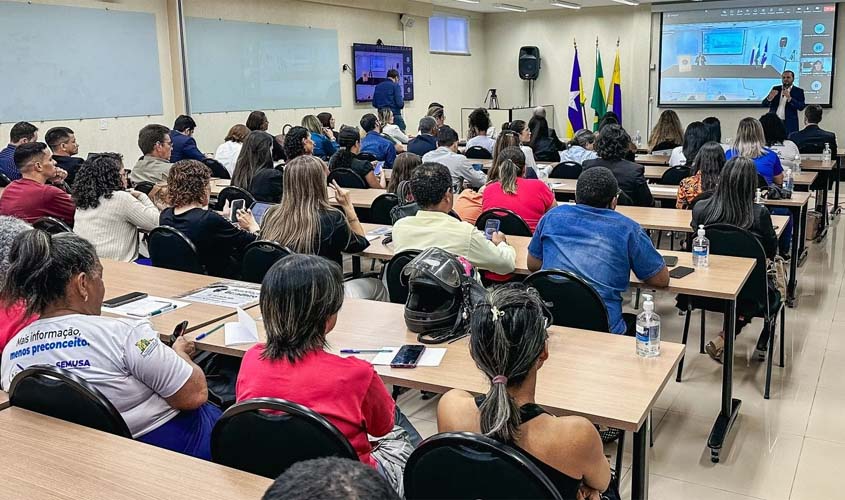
71,63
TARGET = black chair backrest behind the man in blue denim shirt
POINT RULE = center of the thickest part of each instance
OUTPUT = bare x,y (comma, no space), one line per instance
571,300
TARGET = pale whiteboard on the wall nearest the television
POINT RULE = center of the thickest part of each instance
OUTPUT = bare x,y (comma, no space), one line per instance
240,66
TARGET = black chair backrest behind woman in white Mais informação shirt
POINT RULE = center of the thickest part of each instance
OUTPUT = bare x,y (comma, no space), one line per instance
55,392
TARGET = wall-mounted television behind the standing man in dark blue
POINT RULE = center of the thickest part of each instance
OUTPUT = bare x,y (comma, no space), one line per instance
372,62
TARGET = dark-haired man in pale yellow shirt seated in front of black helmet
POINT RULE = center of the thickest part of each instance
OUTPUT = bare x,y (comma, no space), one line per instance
432,226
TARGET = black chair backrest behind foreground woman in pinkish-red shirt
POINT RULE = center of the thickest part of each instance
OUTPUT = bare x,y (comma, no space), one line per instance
265,436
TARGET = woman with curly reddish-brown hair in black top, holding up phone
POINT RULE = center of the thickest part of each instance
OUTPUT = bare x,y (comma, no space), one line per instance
219,244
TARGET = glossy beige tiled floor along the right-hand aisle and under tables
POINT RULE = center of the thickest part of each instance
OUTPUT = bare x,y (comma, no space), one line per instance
789,447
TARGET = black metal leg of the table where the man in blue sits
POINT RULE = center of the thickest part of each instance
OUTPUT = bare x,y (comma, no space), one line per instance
730,406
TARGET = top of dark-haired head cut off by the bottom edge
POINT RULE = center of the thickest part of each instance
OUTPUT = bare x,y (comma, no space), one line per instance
330,478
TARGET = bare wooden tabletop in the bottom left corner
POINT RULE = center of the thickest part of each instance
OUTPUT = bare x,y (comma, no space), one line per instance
49,459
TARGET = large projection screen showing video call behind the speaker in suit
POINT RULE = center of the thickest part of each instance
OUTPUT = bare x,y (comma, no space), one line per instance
714,57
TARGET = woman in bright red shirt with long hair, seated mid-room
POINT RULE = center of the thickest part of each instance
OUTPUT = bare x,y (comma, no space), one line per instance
528,198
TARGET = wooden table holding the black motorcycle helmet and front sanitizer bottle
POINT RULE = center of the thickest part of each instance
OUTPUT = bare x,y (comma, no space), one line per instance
575,380
